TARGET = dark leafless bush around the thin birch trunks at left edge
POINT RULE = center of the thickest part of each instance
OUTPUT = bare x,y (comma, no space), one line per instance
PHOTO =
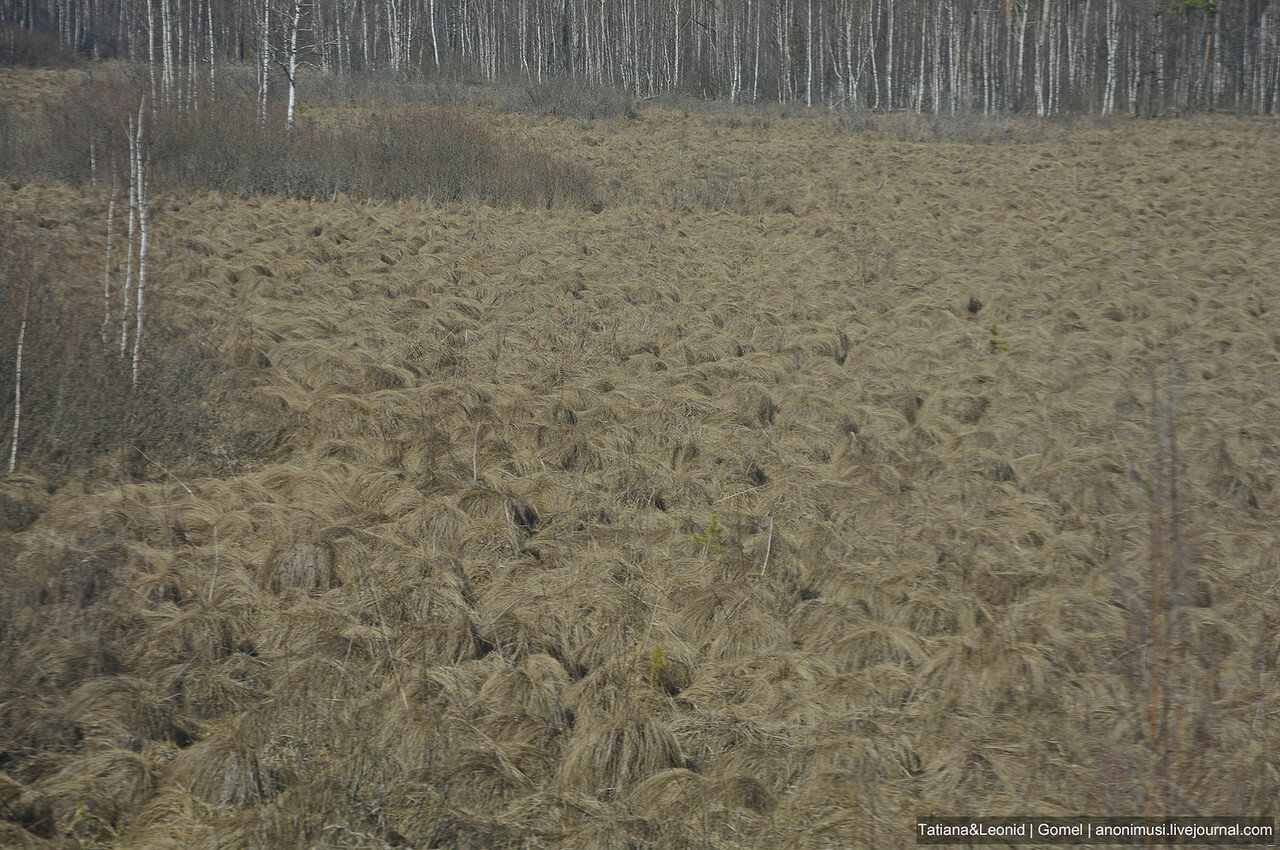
79,400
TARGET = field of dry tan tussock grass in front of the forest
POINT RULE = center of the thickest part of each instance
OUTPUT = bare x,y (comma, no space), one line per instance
828,477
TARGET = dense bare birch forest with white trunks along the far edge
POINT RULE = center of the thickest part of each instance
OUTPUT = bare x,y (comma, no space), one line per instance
991,57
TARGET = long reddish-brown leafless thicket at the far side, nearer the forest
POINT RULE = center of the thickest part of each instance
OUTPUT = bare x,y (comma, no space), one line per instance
395,153
